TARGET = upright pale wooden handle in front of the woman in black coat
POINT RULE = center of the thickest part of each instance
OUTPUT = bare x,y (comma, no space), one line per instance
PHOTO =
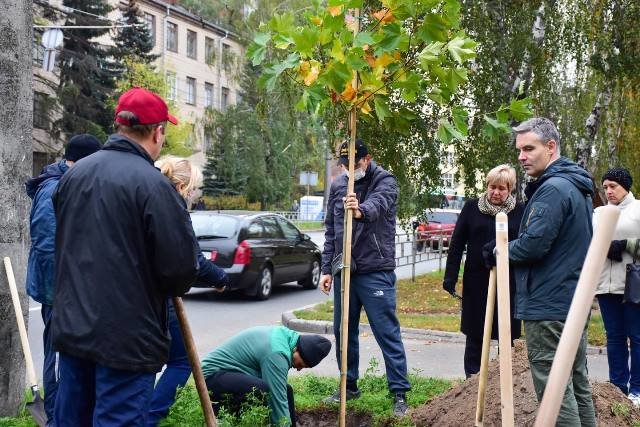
504,319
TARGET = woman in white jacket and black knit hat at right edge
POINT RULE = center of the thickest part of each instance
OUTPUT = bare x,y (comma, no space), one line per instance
621,319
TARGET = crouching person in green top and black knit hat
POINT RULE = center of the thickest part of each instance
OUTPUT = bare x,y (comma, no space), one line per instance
257,360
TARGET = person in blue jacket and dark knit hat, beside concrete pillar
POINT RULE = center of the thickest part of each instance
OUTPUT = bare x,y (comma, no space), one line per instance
41,264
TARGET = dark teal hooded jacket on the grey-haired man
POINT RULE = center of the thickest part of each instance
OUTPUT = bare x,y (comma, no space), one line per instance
552,243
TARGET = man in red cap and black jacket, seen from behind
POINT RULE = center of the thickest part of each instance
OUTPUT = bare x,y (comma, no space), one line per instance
124,245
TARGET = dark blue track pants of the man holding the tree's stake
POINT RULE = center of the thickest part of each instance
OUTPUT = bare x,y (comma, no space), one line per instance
376,292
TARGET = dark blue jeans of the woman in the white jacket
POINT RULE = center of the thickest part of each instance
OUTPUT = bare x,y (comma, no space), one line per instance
622,324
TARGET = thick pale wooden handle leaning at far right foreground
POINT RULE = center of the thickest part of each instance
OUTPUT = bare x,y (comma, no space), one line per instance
577,317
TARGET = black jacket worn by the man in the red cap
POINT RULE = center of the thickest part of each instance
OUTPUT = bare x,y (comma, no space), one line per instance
125,243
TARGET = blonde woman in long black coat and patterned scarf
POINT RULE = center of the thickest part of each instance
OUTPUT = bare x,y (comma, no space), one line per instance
476,227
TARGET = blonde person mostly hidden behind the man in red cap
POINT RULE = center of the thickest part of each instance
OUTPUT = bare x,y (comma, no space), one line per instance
186,178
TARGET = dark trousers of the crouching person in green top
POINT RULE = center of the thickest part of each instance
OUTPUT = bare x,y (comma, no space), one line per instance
231,390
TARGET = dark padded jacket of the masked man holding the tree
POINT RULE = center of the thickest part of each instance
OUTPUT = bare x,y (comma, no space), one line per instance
373,242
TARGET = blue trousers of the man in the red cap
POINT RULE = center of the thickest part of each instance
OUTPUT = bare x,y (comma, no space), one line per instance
90,394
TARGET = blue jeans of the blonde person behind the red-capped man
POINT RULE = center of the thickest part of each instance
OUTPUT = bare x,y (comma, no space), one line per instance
175,374
